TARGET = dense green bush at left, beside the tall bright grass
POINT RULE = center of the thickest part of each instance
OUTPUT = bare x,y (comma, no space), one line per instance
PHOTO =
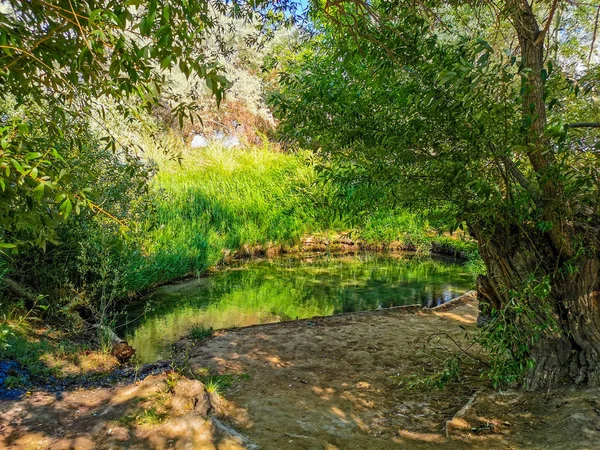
90,250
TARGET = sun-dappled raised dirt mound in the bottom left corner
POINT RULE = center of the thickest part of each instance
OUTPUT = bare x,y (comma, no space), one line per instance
97,419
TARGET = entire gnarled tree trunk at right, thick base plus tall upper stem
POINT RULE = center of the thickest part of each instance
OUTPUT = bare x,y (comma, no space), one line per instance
514,252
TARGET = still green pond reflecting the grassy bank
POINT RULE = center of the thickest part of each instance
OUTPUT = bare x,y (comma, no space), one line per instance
285,288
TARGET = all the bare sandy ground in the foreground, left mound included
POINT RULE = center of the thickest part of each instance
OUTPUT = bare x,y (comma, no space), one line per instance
326,383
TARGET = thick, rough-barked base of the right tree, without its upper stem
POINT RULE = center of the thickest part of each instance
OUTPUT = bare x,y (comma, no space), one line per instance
569,353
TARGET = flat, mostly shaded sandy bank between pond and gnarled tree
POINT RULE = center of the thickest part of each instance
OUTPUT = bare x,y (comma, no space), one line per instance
331,383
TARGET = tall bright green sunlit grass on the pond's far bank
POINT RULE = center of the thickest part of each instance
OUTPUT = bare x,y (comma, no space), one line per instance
215,200
